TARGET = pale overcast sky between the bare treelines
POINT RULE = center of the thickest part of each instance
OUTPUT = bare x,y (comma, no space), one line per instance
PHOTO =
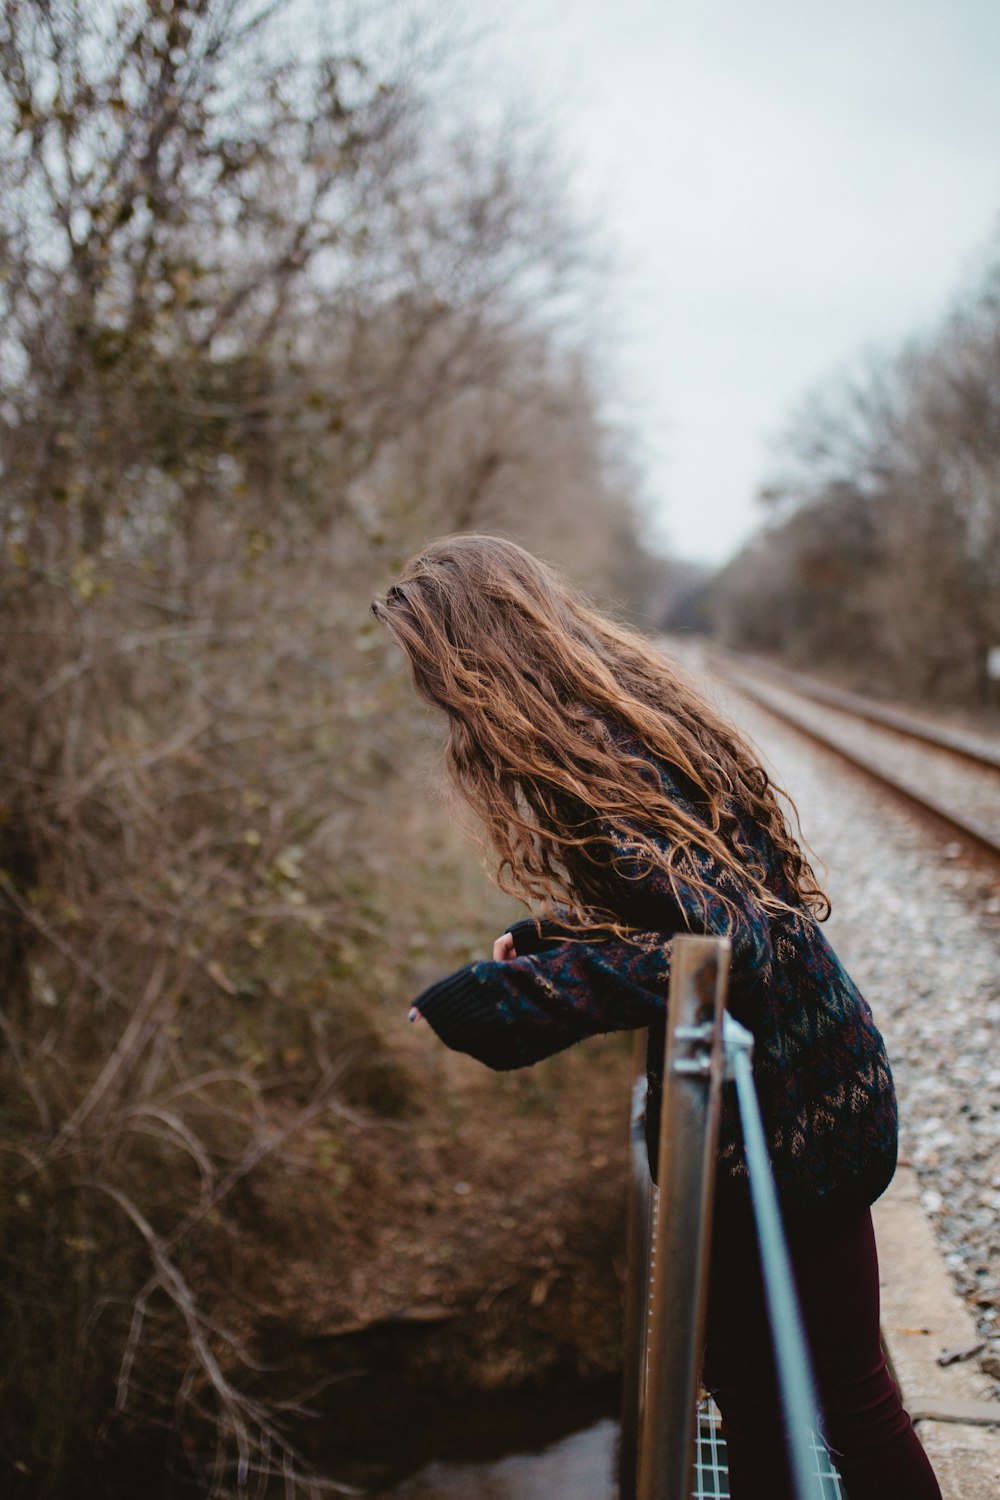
783,185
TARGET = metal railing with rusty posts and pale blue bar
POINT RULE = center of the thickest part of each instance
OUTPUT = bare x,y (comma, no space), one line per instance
669,1238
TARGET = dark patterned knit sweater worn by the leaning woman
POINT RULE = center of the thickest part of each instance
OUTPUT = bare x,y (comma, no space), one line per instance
821,1066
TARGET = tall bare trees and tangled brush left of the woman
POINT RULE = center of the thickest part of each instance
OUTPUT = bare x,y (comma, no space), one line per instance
275,313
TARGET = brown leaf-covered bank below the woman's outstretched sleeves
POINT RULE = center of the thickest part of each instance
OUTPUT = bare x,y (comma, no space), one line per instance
497,1204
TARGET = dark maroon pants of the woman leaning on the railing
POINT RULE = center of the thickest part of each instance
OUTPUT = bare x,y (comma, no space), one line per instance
870,1438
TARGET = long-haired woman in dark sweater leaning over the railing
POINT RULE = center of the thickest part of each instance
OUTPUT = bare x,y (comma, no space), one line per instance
626,809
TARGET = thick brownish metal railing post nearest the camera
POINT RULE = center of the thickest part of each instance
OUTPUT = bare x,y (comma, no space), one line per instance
689,1135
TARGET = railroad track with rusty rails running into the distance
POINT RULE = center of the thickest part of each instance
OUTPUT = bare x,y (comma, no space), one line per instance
953,778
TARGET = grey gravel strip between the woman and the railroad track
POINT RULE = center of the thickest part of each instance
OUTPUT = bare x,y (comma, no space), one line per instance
920,929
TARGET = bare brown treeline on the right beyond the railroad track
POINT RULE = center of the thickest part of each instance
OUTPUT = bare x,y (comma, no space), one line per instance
882,556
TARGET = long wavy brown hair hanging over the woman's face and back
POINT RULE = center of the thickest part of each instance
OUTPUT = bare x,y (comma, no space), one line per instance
557,718
